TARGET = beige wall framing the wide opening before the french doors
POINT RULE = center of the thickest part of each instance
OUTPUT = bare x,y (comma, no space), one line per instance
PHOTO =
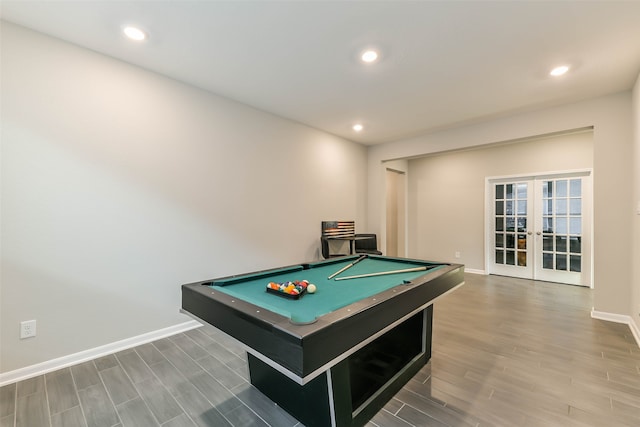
612,122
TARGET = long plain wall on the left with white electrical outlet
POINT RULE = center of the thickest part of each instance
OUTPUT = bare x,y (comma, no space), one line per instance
118,185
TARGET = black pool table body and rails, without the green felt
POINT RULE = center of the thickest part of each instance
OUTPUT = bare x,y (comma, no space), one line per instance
321,363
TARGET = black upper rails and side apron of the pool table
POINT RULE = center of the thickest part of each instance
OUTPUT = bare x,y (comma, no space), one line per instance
303,351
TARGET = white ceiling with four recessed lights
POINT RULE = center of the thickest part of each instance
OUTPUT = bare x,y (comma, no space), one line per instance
444,63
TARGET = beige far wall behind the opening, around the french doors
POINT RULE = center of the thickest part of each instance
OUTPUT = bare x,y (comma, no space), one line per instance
447,191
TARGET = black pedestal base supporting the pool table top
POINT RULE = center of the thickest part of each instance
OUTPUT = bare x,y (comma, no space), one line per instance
327,399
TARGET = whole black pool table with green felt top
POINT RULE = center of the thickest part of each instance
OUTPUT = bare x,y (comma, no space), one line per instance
336,356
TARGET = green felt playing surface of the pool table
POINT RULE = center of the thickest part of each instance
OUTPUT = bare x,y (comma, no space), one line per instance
330,295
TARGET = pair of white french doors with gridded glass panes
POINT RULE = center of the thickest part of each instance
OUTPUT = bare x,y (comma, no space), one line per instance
540,228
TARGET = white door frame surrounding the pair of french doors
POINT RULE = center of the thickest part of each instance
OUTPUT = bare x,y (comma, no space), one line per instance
488,213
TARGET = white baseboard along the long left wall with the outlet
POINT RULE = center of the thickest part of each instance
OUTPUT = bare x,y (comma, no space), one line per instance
83,356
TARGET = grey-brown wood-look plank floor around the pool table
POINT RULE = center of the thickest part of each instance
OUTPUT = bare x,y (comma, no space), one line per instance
507,352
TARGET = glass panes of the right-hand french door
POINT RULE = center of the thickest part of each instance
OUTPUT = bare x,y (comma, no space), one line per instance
562,224
